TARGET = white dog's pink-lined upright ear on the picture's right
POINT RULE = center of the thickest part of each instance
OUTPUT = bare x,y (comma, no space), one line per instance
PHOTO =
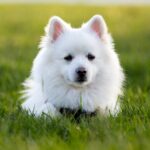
97,25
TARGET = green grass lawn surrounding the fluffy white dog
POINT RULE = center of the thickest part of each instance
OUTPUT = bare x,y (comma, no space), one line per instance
20,29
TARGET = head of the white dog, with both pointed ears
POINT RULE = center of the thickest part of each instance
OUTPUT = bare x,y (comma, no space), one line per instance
77,54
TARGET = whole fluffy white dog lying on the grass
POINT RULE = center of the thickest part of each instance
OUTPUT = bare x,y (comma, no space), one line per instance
74,68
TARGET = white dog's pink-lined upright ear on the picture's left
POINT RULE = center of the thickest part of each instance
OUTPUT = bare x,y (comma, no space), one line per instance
55,28
